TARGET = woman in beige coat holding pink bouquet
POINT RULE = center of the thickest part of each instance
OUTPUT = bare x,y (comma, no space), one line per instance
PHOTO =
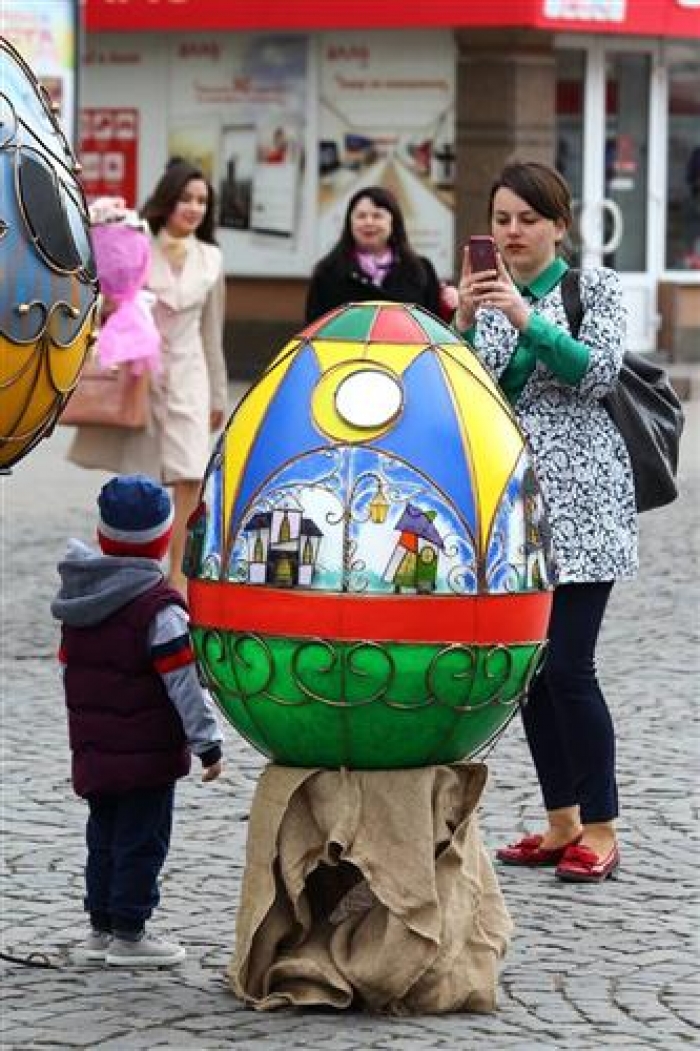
189,394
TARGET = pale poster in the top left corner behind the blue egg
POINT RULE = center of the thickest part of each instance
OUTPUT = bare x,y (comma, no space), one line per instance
45,34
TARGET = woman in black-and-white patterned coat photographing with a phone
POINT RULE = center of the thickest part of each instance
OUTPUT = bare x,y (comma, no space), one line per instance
516,319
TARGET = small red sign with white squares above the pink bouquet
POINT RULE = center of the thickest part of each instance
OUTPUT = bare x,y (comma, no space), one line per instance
109,148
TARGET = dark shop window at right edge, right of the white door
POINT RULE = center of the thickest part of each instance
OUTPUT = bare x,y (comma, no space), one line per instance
684,167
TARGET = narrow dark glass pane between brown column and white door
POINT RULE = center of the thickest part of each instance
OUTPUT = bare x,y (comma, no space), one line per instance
571,72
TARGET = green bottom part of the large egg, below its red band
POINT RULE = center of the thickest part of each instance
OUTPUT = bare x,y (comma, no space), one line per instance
365,706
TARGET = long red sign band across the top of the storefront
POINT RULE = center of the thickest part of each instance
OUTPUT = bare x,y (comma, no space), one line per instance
668,18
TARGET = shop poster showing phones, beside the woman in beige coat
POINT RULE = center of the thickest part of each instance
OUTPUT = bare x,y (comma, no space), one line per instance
238,108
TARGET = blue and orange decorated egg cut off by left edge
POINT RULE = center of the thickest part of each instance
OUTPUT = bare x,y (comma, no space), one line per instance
49,290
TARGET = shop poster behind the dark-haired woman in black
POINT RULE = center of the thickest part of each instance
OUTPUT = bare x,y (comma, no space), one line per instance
387,117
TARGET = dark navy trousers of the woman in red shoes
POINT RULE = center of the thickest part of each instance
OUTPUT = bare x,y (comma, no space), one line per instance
568,726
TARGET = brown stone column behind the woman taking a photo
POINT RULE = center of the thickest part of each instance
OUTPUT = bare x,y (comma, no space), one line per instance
506,110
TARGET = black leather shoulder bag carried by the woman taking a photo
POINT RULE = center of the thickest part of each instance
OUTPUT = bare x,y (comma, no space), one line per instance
645,408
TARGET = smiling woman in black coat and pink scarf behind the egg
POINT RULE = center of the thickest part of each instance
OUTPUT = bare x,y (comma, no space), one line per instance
373,260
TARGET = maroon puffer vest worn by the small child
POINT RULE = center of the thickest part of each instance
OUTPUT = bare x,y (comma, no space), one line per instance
125,731
